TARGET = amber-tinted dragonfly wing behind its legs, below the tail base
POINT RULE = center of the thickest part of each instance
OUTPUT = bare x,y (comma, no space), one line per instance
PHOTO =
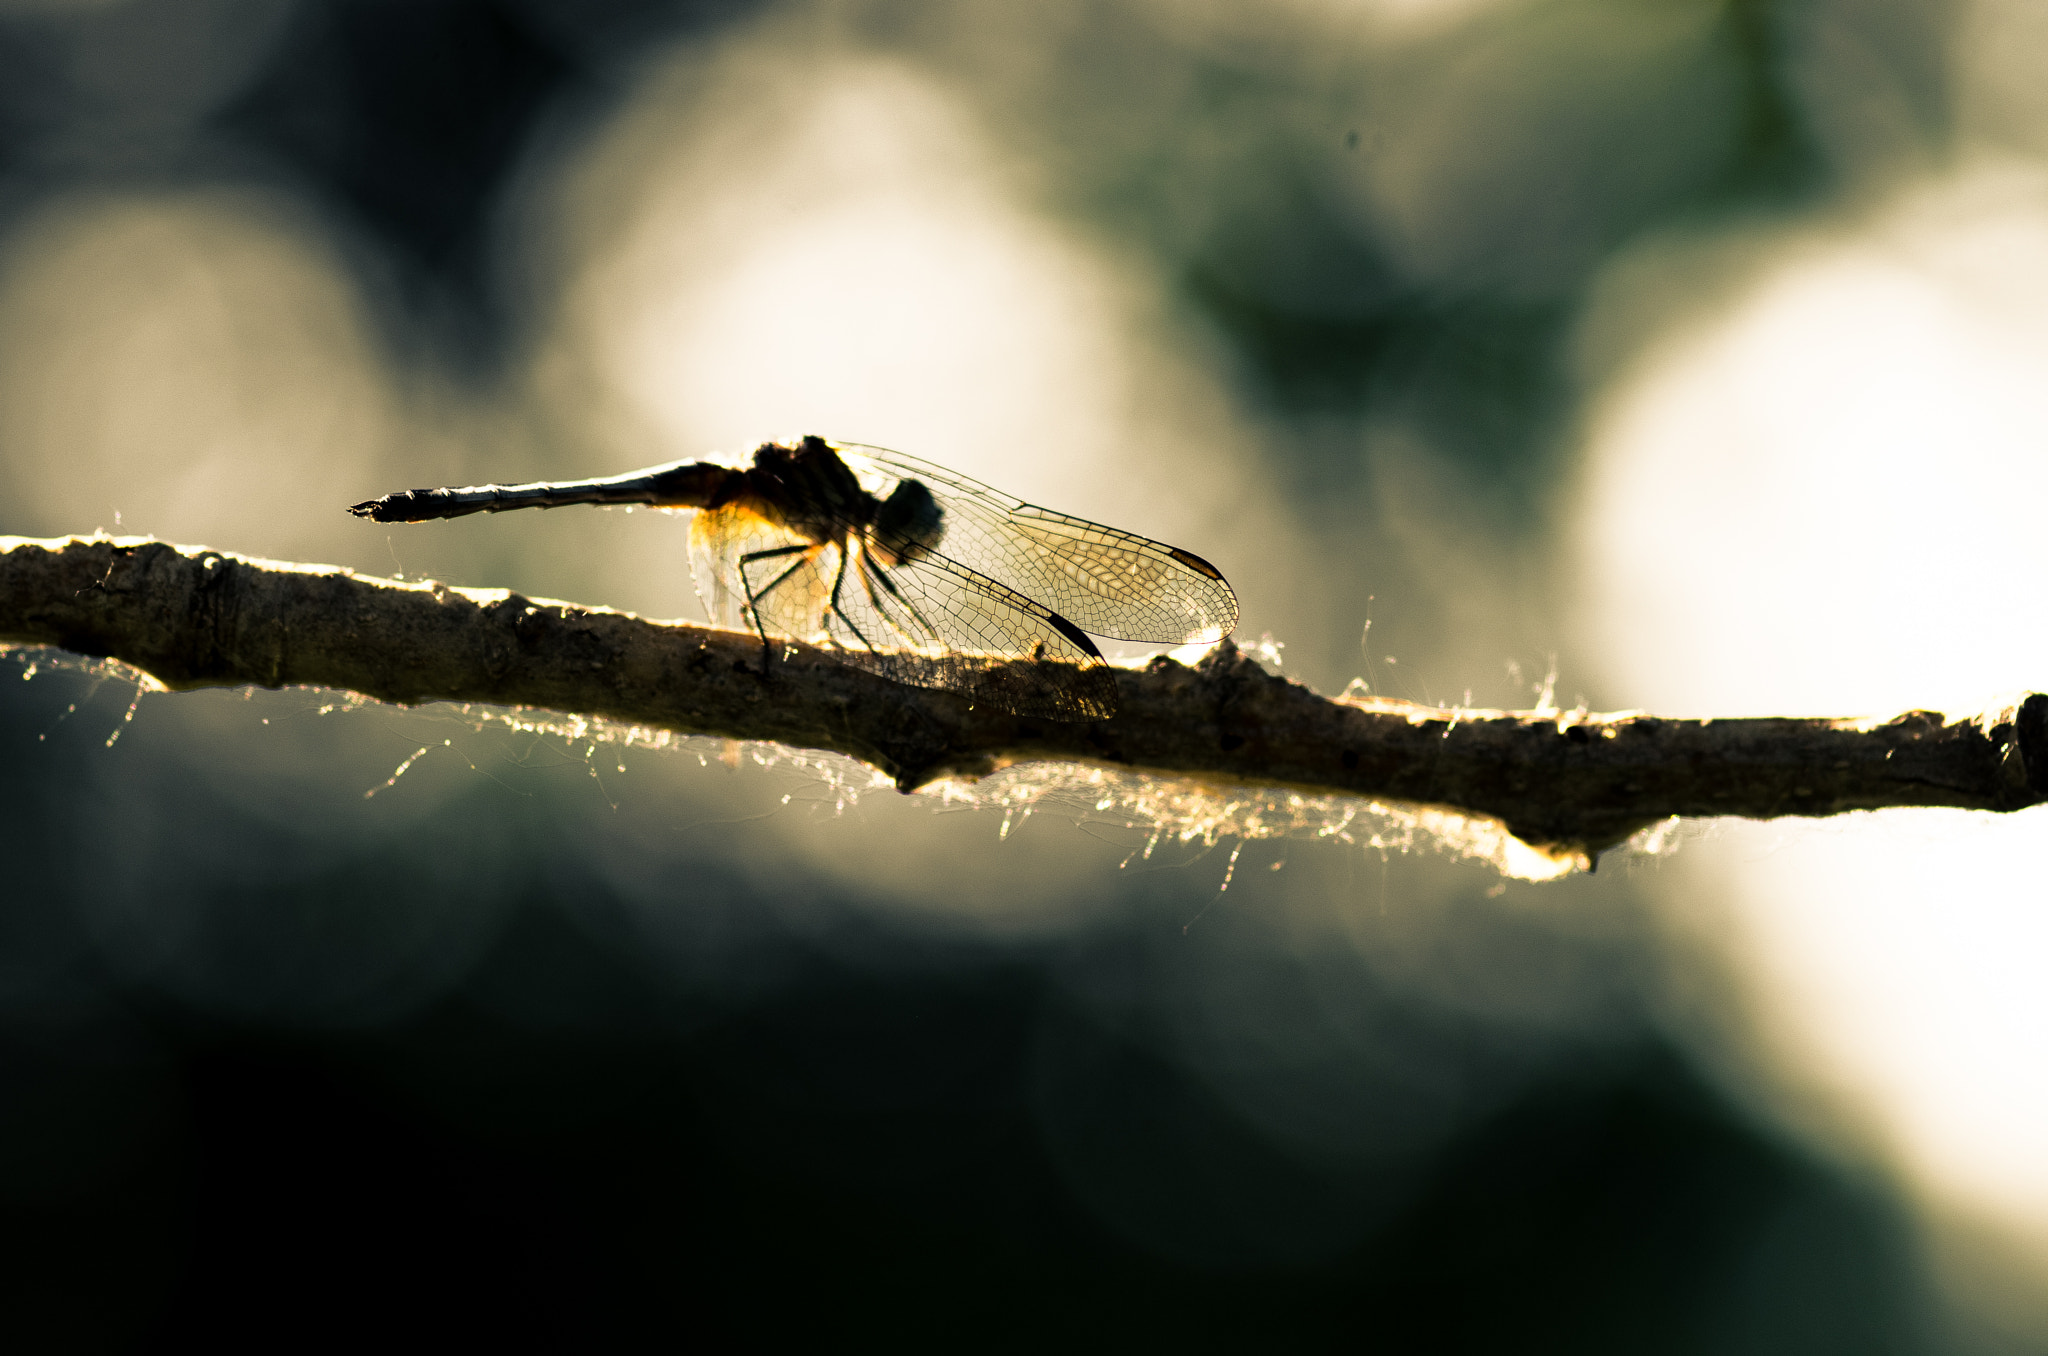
736,554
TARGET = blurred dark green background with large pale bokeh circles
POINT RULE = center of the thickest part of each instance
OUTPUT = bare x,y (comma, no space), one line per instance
1687,351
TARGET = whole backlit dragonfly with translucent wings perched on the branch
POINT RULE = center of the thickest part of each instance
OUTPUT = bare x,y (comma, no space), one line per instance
902,568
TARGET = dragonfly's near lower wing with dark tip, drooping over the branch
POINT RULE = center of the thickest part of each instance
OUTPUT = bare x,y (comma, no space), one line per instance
935,624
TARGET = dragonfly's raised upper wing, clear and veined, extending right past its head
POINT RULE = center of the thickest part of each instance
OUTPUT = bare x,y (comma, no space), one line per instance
1101,579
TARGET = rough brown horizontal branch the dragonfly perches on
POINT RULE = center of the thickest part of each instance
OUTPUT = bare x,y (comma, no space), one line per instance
1560,781
